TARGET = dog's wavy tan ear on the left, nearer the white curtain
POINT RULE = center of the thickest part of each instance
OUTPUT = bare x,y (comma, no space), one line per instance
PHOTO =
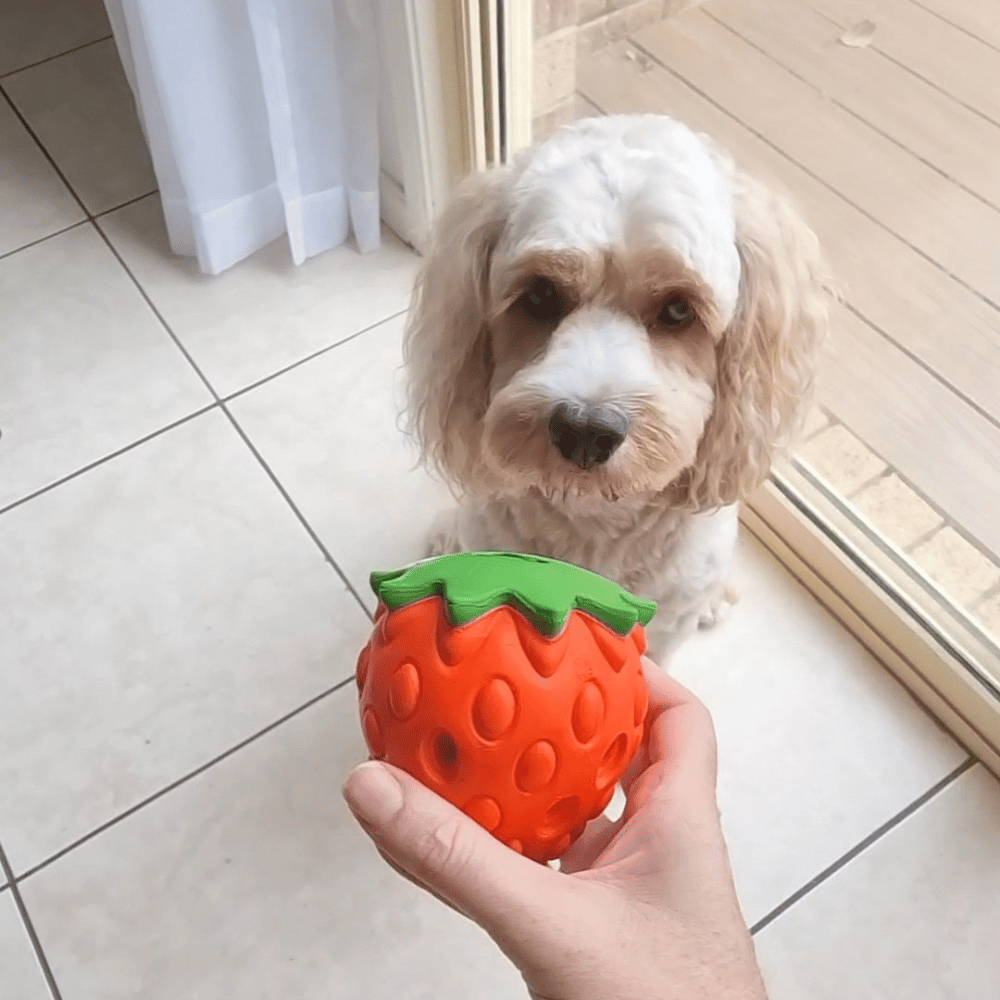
447,348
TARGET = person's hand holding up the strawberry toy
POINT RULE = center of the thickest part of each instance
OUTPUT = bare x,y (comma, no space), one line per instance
643,907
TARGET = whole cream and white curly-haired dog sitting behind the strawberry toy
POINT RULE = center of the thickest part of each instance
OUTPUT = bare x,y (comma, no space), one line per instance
609,341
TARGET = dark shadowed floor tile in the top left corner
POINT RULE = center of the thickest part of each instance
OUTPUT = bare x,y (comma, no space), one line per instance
38,29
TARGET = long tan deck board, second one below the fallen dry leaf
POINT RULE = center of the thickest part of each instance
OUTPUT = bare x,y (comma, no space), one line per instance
926,209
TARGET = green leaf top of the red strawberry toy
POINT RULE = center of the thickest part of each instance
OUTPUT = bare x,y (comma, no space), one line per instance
544,590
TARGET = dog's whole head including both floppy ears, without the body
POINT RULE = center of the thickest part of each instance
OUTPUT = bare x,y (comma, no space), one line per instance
594,323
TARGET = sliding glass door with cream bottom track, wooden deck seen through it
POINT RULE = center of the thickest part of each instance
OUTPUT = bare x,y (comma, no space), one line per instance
888,138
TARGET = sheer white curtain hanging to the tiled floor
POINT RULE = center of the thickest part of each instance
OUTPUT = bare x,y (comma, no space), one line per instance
260,116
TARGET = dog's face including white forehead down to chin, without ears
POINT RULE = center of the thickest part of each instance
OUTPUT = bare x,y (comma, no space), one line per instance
610,287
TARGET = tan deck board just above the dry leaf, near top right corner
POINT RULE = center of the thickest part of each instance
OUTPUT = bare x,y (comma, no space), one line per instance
933,48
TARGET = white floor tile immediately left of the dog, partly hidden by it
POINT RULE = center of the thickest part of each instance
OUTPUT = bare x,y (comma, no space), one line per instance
330,431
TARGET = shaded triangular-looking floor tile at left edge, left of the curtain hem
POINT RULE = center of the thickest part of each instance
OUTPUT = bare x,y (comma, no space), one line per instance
34,202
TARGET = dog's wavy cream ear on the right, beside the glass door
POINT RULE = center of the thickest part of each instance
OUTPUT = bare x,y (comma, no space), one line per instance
767,357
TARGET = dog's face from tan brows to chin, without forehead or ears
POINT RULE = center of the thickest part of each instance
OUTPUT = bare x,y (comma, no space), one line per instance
602,383
